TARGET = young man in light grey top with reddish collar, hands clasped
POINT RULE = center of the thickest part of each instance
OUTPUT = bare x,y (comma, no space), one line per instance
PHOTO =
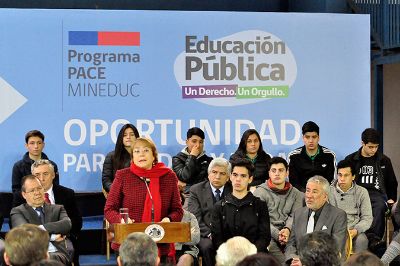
282,200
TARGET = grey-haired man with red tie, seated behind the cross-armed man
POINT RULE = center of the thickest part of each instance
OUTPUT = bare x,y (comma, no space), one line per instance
57,194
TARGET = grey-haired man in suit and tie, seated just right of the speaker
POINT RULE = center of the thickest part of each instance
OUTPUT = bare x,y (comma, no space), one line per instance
201,201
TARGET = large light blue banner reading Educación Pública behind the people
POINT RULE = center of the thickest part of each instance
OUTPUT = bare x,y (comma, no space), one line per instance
79,75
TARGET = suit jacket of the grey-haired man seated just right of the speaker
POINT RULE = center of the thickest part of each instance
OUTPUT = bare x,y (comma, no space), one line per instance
201,203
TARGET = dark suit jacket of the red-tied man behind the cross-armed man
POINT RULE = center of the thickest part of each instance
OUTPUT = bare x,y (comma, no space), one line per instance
66,197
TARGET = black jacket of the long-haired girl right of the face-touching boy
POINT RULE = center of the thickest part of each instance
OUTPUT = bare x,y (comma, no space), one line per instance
261,166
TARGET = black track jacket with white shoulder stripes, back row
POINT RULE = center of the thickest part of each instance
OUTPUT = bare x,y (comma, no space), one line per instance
301,167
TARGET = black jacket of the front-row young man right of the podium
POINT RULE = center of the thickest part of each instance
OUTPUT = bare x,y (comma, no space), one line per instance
247,217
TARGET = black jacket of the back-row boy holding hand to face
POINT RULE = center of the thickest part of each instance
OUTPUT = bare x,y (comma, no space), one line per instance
191,169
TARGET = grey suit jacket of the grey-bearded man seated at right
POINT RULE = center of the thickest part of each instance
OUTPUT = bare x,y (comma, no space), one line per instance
332,220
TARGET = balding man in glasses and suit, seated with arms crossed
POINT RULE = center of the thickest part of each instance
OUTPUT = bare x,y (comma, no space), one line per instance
52,218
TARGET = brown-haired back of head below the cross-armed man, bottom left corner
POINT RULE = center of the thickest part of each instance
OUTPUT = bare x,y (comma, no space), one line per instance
26,244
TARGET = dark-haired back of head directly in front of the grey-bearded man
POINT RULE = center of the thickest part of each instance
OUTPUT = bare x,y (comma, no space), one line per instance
319,249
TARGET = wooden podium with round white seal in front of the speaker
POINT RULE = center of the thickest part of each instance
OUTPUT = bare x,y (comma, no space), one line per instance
169,232
